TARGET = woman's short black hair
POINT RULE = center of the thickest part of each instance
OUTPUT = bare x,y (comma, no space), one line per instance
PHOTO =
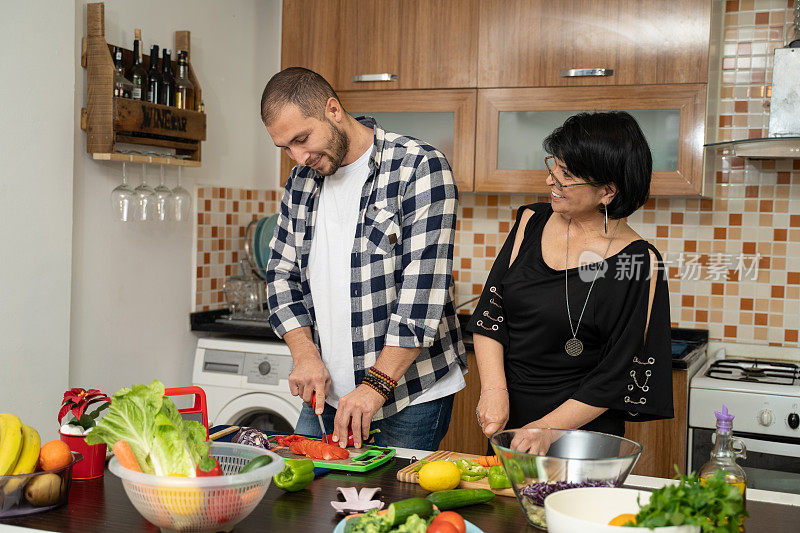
606,148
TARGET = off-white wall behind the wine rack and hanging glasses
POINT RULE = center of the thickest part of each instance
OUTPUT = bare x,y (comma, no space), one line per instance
132,284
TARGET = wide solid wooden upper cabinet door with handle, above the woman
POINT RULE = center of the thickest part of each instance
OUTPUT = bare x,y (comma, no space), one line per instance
546,43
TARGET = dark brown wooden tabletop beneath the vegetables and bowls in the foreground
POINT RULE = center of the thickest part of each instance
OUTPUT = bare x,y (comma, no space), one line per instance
101,505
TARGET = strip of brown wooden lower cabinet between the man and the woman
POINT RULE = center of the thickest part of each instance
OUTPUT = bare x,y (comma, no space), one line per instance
464,434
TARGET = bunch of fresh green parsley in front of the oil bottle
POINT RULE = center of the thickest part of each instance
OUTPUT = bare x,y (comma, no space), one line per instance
712,504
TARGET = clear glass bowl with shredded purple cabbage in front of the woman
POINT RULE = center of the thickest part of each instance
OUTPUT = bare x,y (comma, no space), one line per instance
566,459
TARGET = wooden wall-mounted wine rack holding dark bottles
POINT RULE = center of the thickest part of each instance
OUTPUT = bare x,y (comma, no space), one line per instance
109,120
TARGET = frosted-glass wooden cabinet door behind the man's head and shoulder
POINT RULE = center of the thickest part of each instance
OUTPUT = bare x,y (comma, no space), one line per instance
445,119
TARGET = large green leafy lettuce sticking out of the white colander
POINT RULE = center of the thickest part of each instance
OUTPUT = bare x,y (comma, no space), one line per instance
149,422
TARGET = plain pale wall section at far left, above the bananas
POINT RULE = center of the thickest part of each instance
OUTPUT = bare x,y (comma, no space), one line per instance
36,158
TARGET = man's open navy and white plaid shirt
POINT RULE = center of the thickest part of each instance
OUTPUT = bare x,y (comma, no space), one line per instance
401,284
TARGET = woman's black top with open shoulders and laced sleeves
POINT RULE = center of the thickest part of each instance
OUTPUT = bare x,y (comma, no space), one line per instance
523,307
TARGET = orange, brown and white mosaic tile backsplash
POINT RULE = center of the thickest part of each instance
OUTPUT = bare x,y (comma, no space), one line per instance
733,260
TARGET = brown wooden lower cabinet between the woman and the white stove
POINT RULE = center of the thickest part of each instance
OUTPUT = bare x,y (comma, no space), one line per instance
664,441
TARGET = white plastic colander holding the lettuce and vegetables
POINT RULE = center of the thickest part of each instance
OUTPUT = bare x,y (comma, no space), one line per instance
202,503
